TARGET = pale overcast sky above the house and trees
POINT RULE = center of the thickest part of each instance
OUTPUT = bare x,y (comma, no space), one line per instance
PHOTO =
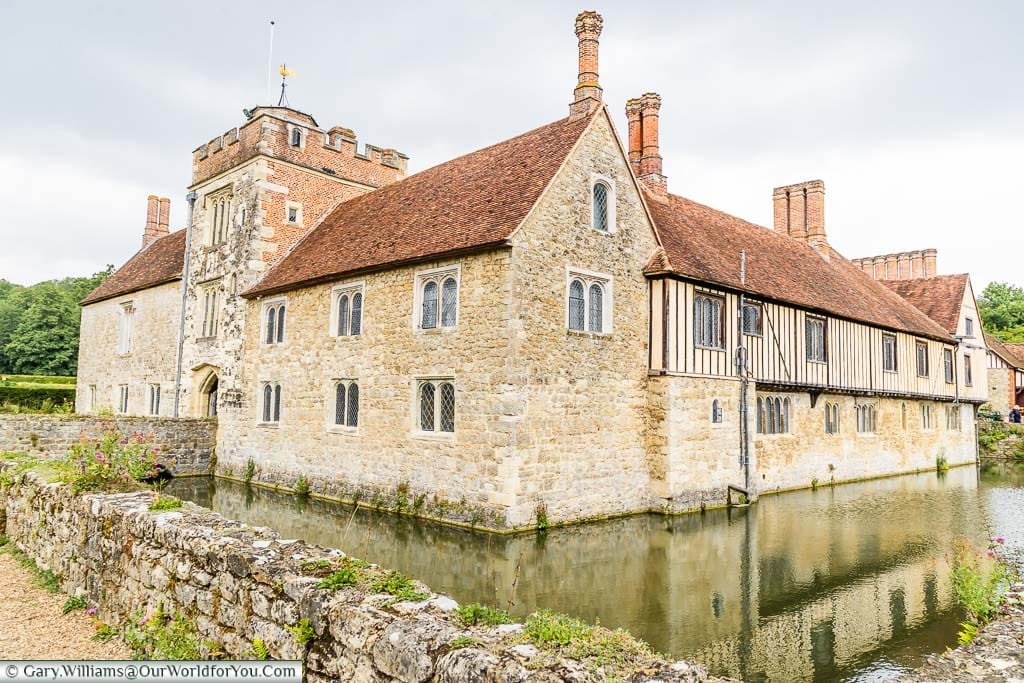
913,113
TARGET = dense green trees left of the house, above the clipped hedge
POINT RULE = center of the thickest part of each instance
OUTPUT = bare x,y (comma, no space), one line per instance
39,325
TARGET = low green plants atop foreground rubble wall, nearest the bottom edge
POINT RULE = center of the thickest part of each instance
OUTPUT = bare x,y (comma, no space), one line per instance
574,638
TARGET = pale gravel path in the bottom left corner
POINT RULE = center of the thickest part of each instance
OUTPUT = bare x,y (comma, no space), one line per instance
33,628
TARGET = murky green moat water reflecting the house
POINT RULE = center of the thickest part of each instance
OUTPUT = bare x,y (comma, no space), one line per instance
847,583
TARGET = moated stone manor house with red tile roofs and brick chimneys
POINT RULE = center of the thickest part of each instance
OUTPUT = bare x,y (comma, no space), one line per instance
539,329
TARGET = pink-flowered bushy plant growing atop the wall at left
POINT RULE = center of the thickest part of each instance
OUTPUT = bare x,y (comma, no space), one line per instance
110,461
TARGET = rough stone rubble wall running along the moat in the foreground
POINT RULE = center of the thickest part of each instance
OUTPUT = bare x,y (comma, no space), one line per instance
241,583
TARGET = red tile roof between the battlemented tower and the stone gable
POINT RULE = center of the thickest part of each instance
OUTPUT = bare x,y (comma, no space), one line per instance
472,202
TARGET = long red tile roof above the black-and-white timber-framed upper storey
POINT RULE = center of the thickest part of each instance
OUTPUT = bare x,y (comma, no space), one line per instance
704,244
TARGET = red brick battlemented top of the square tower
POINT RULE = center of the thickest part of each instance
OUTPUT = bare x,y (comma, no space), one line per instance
295,138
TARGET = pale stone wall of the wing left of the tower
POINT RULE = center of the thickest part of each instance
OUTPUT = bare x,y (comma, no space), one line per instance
153,358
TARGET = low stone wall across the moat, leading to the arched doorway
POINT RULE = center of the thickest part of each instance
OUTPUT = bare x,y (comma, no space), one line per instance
187,445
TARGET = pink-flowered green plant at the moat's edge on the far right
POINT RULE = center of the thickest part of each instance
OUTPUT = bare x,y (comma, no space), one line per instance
980,583
